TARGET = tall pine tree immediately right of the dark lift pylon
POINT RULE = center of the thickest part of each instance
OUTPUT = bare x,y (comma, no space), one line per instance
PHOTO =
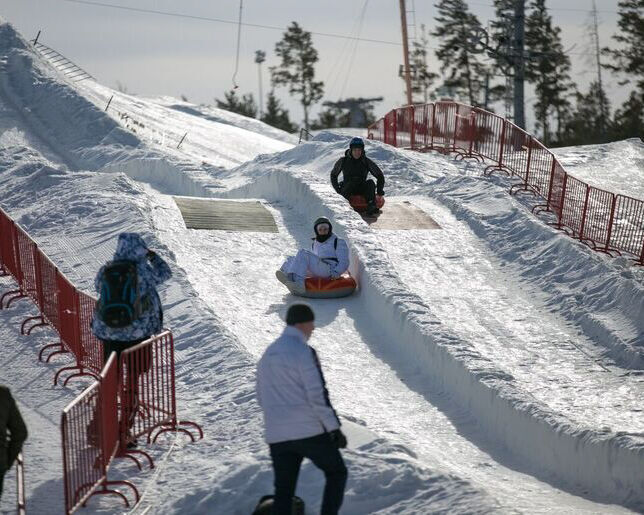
548,69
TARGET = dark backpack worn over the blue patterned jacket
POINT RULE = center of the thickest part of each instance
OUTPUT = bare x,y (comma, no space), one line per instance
120,302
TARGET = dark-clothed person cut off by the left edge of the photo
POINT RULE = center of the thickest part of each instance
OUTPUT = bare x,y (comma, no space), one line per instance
10,421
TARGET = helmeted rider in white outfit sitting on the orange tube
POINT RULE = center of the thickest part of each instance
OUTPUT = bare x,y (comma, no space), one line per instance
328,257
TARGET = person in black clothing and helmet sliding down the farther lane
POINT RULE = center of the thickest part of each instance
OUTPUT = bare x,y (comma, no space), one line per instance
355,167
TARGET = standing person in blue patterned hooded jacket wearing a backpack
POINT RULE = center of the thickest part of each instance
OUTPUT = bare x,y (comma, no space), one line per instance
128,310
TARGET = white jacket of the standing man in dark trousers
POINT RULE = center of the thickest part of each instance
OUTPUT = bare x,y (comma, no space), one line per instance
291,390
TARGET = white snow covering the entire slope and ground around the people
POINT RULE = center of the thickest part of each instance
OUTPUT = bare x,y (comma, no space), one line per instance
493,365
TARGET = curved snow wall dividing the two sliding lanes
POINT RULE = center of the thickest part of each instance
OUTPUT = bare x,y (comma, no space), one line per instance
604,466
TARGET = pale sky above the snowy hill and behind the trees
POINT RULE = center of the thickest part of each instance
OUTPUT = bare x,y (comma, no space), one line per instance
153,54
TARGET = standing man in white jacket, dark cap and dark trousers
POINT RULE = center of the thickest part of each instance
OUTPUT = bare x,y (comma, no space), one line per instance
299,420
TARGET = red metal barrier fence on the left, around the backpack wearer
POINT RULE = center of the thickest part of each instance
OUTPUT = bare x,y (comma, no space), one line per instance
95,427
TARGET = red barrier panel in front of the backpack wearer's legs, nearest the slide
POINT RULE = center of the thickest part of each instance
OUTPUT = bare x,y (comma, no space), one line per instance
147,387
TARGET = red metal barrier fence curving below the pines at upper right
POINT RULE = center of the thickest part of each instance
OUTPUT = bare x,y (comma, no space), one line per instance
604,221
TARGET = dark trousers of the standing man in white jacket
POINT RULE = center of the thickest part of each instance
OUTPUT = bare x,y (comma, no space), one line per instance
287,458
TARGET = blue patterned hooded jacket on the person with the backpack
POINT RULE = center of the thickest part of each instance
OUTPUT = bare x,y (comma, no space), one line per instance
151,272
